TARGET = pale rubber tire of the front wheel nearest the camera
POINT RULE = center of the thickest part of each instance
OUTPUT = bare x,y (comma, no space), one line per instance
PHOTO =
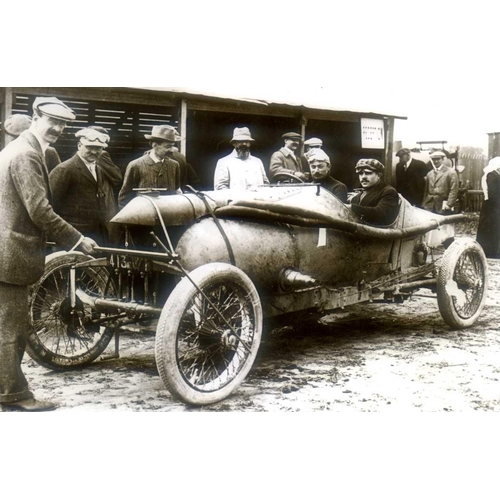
168,326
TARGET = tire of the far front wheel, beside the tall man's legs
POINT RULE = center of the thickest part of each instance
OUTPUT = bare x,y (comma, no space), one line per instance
35,347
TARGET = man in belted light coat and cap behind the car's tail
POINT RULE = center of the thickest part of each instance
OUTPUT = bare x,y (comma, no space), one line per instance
441,186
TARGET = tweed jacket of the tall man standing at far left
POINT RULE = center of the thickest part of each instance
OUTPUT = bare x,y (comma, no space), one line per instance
26,214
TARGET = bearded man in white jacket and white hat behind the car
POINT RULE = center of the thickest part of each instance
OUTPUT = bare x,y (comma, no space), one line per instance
240,170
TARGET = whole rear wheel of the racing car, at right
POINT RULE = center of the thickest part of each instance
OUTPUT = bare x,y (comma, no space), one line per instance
462,283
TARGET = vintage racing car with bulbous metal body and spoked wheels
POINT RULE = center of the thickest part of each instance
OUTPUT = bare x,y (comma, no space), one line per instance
208,268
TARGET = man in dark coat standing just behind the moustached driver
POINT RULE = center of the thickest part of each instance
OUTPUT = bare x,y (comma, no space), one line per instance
410,177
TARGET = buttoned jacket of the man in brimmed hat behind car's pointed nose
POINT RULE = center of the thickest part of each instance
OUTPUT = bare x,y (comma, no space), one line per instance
145,173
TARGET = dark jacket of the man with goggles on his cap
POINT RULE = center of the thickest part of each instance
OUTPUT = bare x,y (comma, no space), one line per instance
79,199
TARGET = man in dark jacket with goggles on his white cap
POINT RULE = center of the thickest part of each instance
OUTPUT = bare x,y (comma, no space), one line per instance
82,186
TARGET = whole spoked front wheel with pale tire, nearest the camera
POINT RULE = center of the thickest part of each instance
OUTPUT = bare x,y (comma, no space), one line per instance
208,336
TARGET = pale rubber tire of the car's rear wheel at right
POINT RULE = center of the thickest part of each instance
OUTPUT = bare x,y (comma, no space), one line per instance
446,273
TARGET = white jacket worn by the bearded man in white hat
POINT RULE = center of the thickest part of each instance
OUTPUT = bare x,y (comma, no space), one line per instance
232,172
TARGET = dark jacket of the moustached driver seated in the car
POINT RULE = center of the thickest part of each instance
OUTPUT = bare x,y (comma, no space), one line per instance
379,206
